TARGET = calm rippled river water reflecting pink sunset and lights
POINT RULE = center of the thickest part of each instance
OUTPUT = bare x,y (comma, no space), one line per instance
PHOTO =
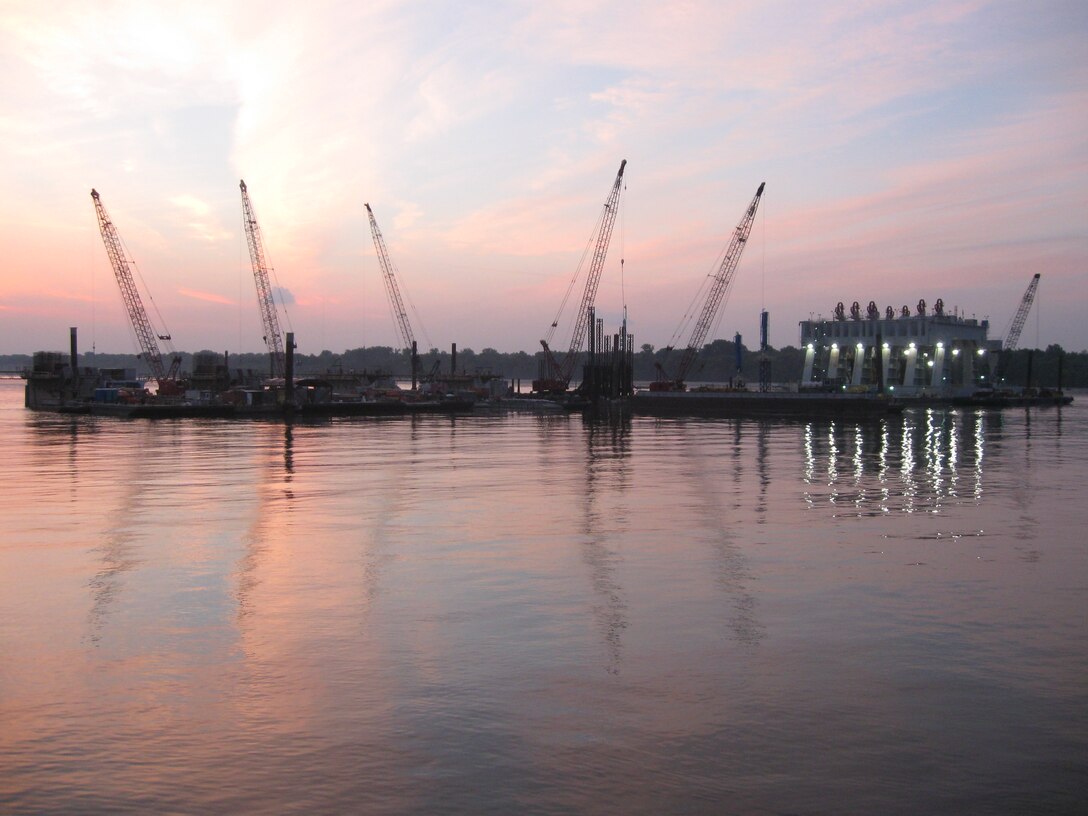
545,614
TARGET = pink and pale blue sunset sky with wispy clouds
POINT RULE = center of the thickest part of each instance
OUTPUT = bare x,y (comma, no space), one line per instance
911,151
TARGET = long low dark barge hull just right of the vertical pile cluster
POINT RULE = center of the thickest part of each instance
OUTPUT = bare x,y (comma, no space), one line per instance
745,404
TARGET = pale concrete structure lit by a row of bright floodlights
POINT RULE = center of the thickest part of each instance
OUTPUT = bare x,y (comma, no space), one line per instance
922,354
